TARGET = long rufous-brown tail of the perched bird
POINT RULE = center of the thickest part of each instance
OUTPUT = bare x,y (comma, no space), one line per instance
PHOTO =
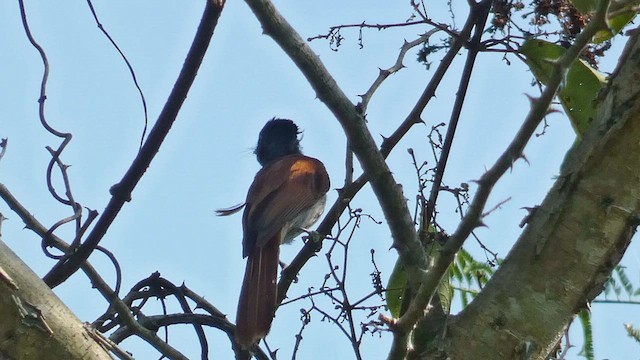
257,303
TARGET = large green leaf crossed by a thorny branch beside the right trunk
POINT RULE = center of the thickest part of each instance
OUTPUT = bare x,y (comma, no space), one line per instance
580,88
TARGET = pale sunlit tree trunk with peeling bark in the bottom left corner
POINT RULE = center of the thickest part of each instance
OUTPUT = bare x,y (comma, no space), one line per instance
34,323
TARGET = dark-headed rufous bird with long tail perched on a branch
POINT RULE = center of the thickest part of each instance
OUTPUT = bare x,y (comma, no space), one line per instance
287,196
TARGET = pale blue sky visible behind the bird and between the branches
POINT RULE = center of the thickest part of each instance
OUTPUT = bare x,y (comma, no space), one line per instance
207,161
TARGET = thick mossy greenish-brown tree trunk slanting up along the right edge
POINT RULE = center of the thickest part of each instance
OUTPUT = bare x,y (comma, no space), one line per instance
572,242
